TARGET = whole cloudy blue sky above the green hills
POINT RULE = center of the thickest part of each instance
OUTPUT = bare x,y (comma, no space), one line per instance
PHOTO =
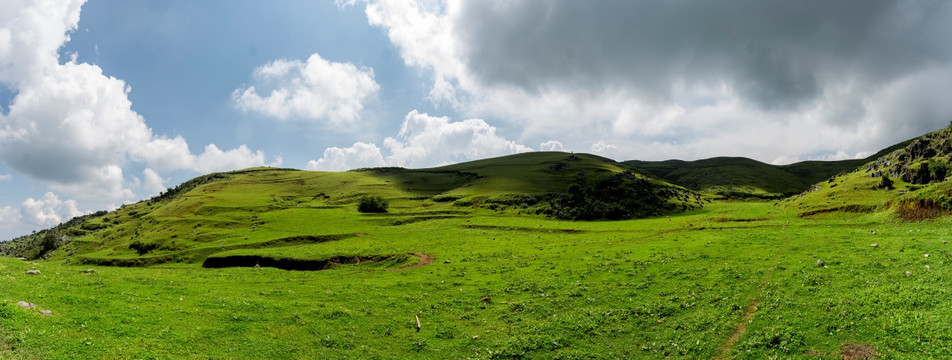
108,102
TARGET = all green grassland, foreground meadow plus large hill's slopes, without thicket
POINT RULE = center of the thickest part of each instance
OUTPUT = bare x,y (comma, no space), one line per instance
473,253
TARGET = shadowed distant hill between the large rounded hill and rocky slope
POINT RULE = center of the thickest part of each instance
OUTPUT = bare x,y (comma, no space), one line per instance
743,177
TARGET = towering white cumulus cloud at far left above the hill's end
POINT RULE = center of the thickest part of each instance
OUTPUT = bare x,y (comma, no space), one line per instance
70,125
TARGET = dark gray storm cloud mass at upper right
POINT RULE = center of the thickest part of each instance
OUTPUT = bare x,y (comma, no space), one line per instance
778,55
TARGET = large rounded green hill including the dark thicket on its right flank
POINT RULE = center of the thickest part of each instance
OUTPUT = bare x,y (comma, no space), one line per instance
262,208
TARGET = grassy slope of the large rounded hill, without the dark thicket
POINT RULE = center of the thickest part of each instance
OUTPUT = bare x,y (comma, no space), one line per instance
245,211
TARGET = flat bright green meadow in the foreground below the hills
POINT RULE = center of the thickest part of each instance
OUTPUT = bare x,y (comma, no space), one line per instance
732,280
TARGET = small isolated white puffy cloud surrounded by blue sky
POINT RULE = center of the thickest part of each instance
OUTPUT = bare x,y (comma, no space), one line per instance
314,90
